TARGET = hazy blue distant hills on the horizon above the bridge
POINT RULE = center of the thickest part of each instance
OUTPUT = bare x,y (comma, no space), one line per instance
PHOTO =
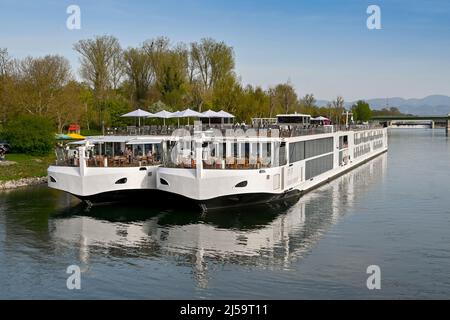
431,105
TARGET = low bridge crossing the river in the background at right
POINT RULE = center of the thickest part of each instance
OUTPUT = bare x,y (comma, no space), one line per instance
415,121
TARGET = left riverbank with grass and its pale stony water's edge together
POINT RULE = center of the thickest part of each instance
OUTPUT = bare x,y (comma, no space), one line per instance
22,170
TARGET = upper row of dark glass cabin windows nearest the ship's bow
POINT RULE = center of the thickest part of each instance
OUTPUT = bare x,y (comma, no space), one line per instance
302,150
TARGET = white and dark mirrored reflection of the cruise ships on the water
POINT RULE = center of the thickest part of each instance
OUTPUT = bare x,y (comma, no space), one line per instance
269,236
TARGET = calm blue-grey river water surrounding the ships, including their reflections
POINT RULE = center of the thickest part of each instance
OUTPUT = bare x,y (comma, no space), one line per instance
393,212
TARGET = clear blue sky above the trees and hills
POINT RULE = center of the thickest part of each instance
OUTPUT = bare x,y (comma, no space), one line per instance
322,47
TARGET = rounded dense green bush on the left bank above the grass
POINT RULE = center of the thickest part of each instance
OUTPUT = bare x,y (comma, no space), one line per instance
30,134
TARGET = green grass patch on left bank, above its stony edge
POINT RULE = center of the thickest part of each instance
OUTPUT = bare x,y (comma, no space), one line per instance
27,166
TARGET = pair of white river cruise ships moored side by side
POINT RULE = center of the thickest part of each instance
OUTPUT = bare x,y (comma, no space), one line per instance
214,166
